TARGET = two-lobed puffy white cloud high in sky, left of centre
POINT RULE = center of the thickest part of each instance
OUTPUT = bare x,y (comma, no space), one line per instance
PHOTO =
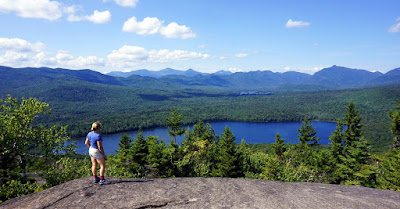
152,25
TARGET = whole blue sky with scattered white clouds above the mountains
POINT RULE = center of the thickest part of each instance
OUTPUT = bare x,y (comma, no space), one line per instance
204,35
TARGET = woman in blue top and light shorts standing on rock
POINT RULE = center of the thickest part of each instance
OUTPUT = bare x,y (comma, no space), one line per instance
96,152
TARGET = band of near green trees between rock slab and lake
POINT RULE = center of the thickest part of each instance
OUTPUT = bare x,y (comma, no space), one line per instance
347,160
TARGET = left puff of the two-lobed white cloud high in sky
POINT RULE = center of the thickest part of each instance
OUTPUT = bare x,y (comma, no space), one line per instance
149,26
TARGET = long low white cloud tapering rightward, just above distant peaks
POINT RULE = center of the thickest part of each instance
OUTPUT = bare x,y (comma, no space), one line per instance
133,55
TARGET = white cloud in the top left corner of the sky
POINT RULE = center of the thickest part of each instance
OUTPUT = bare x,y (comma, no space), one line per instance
44,9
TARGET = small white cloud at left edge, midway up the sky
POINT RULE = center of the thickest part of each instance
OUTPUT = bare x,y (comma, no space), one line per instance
19,45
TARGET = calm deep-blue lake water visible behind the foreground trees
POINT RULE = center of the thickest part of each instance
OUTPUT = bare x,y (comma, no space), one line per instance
253,133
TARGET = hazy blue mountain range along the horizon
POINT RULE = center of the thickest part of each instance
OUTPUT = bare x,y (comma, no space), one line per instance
334,77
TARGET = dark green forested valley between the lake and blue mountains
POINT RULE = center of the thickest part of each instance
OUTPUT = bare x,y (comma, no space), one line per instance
126,108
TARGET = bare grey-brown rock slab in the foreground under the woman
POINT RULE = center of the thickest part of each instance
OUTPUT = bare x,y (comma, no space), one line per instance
204,193
